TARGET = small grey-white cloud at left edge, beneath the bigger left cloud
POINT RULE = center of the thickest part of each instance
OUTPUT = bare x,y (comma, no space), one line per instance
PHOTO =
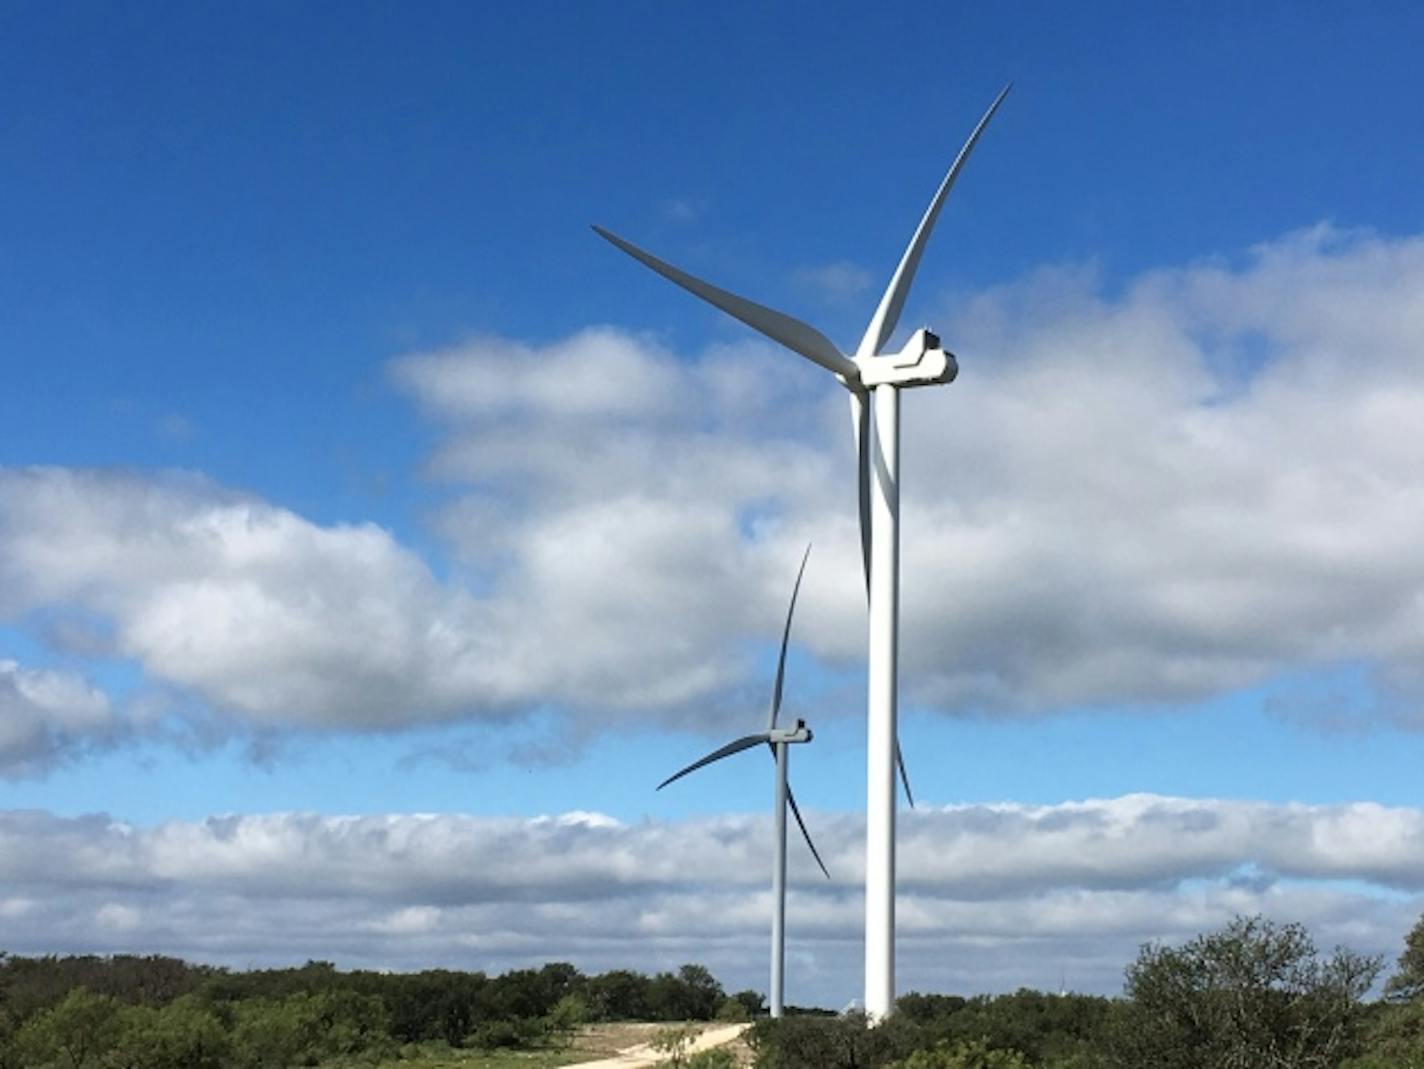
51,717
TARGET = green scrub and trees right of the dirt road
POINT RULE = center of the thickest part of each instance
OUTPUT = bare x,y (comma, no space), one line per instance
1255,996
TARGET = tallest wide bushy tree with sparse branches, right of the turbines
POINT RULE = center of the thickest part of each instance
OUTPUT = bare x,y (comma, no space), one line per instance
1254,996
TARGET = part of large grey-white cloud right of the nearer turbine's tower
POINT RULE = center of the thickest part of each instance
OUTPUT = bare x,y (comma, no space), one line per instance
1180,490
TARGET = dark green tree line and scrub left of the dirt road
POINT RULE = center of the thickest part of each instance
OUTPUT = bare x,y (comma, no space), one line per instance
157,1013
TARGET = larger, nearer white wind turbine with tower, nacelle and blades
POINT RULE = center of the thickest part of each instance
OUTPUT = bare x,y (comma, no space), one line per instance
875,381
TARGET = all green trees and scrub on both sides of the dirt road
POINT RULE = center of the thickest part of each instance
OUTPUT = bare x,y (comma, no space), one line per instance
1254,996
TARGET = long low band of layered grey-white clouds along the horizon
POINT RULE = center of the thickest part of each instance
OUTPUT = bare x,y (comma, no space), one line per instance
992,897
